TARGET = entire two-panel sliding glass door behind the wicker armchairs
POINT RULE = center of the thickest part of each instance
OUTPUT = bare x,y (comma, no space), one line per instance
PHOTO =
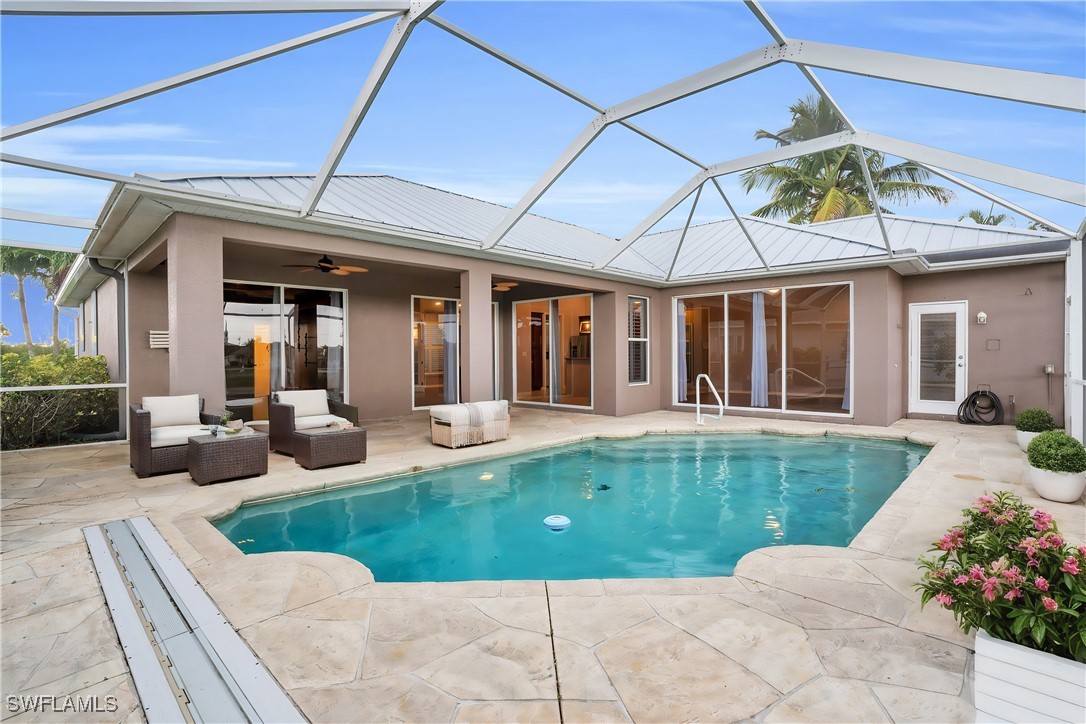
282,338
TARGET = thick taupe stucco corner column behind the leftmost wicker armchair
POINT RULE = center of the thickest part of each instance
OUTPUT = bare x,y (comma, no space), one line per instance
195,284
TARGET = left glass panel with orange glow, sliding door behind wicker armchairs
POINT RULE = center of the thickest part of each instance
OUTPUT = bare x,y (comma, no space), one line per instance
251,348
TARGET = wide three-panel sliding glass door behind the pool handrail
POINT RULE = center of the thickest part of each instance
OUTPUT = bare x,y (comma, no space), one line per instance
773,349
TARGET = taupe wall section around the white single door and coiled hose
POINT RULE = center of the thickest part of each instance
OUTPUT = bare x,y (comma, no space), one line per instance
1025,333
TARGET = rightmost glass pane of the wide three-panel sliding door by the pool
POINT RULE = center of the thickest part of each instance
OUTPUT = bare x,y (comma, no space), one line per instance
816,378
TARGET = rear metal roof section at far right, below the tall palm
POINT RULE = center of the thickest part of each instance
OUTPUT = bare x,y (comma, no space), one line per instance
932,236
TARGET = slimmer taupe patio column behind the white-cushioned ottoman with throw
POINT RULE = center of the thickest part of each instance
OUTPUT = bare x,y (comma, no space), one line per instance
477,337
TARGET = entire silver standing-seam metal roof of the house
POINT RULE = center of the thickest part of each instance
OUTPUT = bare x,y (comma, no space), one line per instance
708,249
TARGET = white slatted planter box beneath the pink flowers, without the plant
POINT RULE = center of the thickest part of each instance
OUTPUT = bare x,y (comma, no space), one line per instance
1017,684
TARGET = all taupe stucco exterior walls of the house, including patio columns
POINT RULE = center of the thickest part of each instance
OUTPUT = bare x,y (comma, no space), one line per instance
203,252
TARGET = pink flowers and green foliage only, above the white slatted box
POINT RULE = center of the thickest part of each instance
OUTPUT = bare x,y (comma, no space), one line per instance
1008,570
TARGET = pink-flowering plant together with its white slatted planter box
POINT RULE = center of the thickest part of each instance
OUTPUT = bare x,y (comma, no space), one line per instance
1007,573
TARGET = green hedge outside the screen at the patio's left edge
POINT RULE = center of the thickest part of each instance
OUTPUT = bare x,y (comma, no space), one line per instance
34,420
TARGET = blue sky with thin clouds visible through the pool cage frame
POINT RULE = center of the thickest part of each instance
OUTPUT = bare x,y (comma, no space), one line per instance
453,118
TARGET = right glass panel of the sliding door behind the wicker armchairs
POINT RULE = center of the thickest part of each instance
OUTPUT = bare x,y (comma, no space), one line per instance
313,339
